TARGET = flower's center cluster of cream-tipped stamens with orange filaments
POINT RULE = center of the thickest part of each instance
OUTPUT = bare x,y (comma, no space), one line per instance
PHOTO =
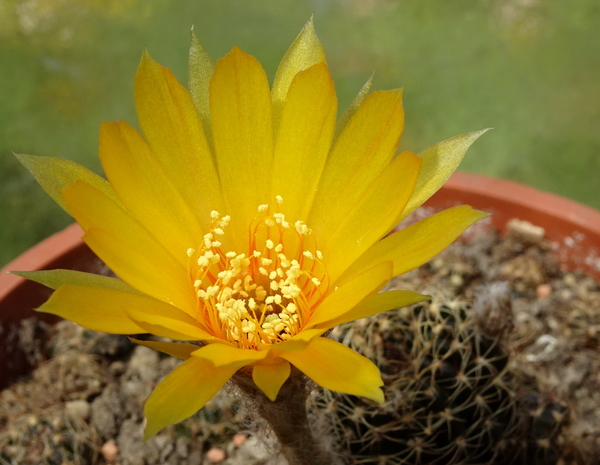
266,295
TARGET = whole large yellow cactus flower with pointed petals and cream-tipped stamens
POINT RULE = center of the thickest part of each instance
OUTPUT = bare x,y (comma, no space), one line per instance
247,220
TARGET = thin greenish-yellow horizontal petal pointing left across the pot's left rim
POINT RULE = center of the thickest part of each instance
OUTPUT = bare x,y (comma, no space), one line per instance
56,278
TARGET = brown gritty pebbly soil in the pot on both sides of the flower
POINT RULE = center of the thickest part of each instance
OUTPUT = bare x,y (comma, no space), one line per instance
83,404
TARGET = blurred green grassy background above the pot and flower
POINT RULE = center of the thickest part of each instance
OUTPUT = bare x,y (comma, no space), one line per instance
528,68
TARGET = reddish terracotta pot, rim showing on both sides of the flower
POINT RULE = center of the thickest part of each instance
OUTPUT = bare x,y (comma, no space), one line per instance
573,228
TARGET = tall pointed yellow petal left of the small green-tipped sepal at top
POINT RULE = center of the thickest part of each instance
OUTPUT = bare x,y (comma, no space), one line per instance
171,125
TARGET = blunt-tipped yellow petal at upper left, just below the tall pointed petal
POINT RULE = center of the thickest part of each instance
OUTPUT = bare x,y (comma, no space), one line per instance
145,189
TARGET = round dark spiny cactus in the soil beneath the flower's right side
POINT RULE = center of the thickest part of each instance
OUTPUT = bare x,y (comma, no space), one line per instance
451,395
